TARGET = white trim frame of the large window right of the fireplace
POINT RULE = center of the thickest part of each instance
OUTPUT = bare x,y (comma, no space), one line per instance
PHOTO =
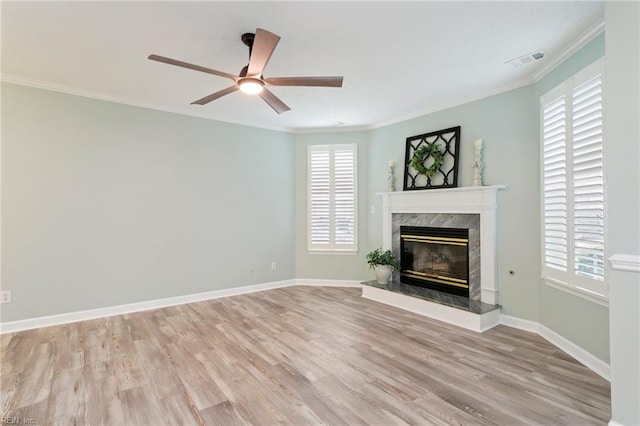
578,286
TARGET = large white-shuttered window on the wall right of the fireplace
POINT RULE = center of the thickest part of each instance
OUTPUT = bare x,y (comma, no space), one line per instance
573,184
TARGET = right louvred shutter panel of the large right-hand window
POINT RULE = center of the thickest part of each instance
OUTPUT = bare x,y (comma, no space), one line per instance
588,180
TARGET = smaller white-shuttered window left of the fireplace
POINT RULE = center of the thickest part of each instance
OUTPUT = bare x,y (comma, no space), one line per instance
332,205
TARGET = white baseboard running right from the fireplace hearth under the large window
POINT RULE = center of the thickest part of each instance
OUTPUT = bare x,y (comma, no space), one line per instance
590,361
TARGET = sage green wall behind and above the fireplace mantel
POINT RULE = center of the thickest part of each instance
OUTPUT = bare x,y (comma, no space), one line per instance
507,124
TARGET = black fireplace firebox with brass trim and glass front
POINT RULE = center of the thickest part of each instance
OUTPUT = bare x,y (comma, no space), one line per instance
436,258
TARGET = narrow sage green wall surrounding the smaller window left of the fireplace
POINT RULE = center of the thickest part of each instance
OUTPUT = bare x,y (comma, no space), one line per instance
330,266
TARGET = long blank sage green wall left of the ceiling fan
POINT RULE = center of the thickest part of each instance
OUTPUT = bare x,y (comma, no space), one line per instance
106,204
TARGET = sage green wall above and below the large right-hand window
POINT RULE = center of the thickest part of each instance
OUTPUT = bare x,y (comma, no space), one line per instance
583,322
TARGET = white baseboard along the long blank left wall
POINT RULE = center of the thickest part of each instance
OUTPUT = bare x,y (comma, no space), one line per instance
66,318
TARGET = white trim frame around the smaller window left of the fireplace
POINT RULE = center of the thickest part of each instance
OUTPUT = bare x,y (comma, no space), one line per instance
315,250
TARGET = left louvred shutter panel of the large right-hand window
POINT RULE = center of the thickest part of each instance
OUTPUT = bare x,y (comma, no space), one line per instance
555,184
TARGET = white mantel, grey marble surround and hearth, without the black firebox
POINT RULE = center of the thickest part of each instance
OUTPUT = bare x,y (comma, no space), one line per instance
473,208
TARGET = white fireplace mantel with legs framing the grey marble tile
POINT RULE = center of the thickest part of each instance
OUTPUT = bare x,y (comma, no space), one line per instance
482,200
